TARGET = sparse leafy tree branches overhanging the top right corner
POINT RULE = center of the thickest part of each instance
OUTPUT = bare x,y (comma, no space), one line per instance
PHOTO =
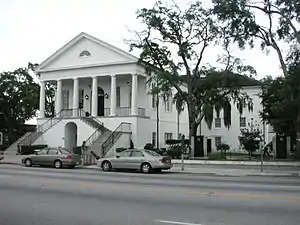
241,26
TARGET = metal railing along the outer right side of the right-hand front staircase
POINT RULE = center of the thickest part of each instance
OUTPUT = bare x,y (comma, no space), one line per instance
115,135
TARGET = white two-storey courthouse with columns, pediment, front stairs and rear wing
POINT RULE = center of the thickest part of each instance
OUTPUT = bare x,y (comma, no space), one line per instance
102,98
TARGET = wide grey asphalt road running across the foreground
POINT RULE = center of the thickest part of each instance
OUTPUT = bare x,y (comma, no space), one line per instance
40,196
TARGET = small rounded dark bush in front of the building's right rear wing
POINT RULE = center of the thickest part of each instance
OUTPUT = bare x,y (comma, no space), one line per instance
250,139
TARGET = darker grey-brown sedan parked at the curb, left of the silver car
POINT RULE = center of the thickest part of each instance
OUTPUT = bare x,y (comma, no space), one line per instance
57,157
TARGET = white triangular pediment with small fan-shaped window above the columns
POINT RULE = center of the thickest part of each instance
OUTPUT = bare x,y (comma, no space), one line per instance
84,50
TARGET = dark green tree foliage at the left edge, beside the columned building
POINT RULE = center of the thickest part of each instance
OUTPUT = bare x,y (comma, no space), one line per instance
19,97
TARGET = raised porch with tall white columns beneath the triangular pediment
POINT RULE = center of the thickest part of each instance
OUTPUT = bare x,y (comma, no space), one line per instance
98,95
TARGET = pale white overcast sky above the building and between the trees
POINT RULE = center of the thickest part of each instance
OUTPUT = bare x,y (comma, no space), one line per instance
31,30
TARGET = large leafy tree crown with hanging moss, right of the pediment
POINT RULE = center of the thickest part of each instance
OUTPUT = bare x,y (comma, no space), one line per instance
189,32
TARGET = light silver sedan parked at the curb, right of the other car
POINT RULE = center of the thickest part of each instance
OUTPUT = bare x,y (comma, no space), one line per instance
136,159
